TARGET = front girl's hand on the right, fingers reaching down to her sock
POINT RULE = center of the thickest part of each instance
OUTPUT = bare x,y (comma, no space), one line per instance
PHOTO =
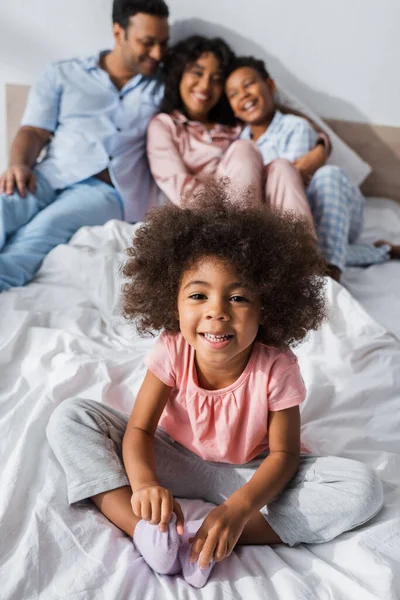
218,534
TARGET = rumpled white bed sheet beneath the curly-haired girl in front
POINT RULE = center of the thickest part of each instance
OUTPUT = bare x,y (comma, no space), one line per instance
61,337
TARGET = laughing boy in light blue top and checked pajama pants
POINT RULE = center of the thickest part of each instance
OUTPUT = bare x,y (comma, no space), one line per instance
337,205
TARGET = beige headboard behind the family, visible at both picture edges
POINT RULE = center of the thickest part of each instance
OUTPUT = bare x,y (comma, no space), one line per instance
377,145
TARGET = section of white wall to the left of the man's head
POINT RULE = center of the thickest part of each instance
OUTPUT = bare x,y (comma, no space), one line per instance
35,32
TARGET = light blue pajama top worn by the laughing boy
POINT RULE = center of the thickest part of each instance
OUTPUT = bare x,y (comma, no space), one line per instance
287,136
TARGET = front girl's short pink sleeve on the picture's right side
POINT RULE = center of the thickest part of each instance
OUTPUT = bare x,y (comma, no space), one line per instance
286,386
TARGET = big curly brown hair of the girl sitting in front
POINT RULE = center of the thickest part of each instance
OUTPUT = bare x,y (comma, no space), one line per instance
273,253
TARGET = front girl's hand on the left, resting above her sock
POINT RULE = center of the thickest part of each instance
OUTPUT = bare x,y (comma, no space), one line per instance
155,504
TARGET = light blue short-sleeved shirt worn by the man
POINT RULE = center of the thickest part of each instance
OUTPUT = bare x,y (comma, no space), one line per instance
96,126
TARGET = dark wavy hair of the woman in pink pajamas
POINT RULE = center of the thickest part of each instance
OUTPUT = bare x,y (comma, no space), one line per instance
182,55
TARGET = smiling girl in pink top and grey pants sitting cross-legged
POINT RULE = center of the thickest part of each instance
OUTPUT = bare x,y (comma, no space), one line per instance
217,416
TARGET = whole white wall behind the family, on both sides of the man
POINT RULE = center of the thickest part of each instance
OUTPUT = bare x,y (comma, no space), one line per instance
341,56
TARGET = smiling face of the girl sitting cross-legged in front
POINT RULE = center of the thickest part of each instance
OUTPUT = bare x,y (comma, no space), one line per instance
218,315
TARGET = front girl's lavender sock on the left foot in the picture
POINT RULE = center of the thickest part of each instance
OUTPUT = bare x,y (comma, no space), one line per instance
159,549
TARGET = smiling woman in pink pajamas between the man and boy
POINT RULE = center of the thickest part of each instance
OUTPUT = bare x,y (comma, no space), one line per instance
195,137
